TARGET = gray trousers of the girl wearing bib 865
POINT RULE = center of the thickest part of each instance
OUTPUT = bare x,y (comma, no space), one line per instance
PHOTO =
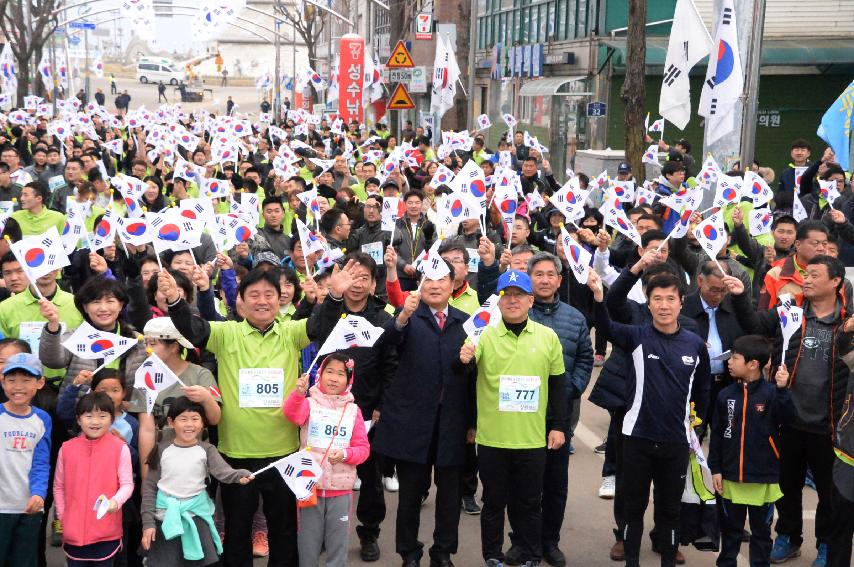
327,523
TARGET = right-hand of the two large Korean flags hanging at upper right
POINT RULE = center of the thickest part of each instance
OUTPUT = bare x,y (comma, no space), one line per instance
724,78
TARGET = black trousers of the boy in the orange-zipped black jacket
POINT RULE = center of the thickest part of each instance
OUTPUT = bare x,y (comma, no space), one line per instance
732,518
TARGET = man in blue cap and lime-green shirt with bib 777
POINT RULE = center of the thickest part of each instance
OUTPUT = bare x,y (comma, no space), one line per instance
519,369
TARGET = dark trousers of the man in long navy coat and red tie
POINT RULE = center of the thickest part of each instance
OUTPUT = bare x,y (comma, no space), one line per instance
414,479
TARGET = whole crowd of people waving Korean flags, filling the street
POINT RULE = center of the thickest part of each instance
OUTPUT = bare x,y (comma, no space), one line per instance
491,327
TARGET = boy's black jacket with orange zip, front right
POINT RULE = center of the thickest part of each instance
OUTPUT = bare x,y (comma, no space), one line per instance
744,446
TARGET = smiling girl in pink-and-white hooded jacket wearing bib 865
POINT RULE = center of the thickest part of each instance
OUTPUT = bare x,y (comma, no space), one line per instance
333,429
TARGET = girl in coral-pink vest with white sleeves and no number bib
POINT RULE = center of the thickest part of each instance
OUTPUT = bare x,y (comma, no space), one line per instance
93,479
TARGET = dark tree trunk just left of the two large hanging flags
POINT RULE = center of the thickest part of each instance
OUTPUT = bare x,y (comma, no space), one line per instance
633,93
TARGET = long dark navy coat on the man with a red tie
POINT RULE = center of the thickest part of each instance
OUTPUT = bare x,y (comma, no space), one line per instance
427,386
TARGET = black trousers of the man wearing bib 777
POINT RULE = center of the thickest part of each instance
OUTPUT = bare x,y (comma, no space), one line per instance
512,479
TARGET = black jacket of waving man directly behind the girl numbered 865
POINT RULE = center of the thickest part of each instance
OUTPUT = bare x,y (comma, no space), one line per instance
375,366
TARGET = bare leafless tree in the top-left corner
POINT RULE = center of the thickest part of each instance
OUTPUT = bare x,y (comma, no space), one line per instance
27,27
